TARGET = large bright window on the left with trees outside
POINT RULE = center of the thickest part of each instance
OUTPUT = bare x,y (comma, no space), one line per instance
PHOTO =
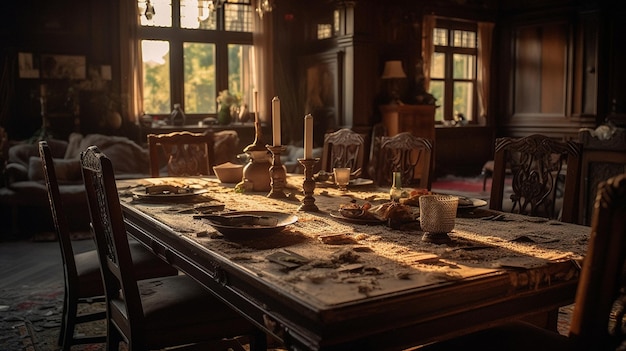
193,49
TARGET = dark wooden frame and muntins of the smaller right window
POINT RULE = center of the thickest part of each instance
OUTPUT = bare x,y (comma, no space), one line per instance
448,81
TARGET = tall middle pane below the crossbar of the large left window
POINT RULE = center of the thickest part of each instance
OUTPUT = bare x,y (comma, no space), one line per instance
200,90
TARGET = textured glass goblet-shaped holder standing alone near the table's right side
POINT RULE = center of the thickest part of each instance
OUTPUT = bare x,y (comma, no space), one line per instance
437,216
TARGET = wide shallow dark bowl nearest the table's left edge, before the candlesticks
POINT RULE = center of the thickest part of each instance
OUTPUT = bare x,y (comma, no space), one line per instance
248,230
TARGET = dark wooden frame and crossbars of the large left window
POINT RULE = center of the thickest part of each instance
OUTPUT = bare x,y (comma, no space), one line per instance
177,36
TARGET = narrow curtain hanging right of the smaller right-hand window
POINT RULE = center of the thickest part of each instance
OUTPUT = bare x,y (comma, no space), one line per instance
485,43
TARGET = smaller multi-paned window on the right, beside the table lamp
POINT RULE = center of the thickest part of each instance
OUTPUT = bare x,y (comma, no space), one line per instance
453,70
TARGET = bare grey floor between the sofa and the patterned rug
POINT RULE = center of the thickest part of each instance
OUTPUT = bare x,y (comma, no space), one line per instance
24,262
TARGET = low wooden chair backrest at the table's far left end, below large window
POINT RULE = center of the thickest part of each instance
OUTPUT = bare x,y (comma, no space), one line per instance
186,153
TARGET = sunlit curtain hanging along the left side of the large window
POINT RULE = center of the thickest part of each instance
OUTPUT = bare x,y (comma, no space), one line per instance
130,59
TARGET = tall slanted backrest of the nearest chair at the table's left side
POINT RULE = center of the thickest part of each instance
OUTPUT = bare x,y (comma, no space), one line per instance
121,291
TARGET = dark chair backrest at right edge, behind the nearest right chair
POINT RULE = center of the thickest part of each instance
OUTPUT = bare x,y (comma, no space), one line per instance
602,158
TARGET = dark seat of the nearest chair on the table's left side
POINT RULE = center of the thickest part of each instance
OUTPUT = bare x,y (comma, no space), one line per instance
177,310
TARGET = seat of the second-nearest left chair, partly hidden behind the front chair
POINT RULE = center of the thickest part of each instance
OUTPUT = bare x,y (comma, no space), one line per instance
147,265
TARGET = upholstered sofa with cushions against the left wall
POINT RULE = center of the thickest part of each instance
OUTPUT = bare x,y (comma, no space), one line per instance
24,197
